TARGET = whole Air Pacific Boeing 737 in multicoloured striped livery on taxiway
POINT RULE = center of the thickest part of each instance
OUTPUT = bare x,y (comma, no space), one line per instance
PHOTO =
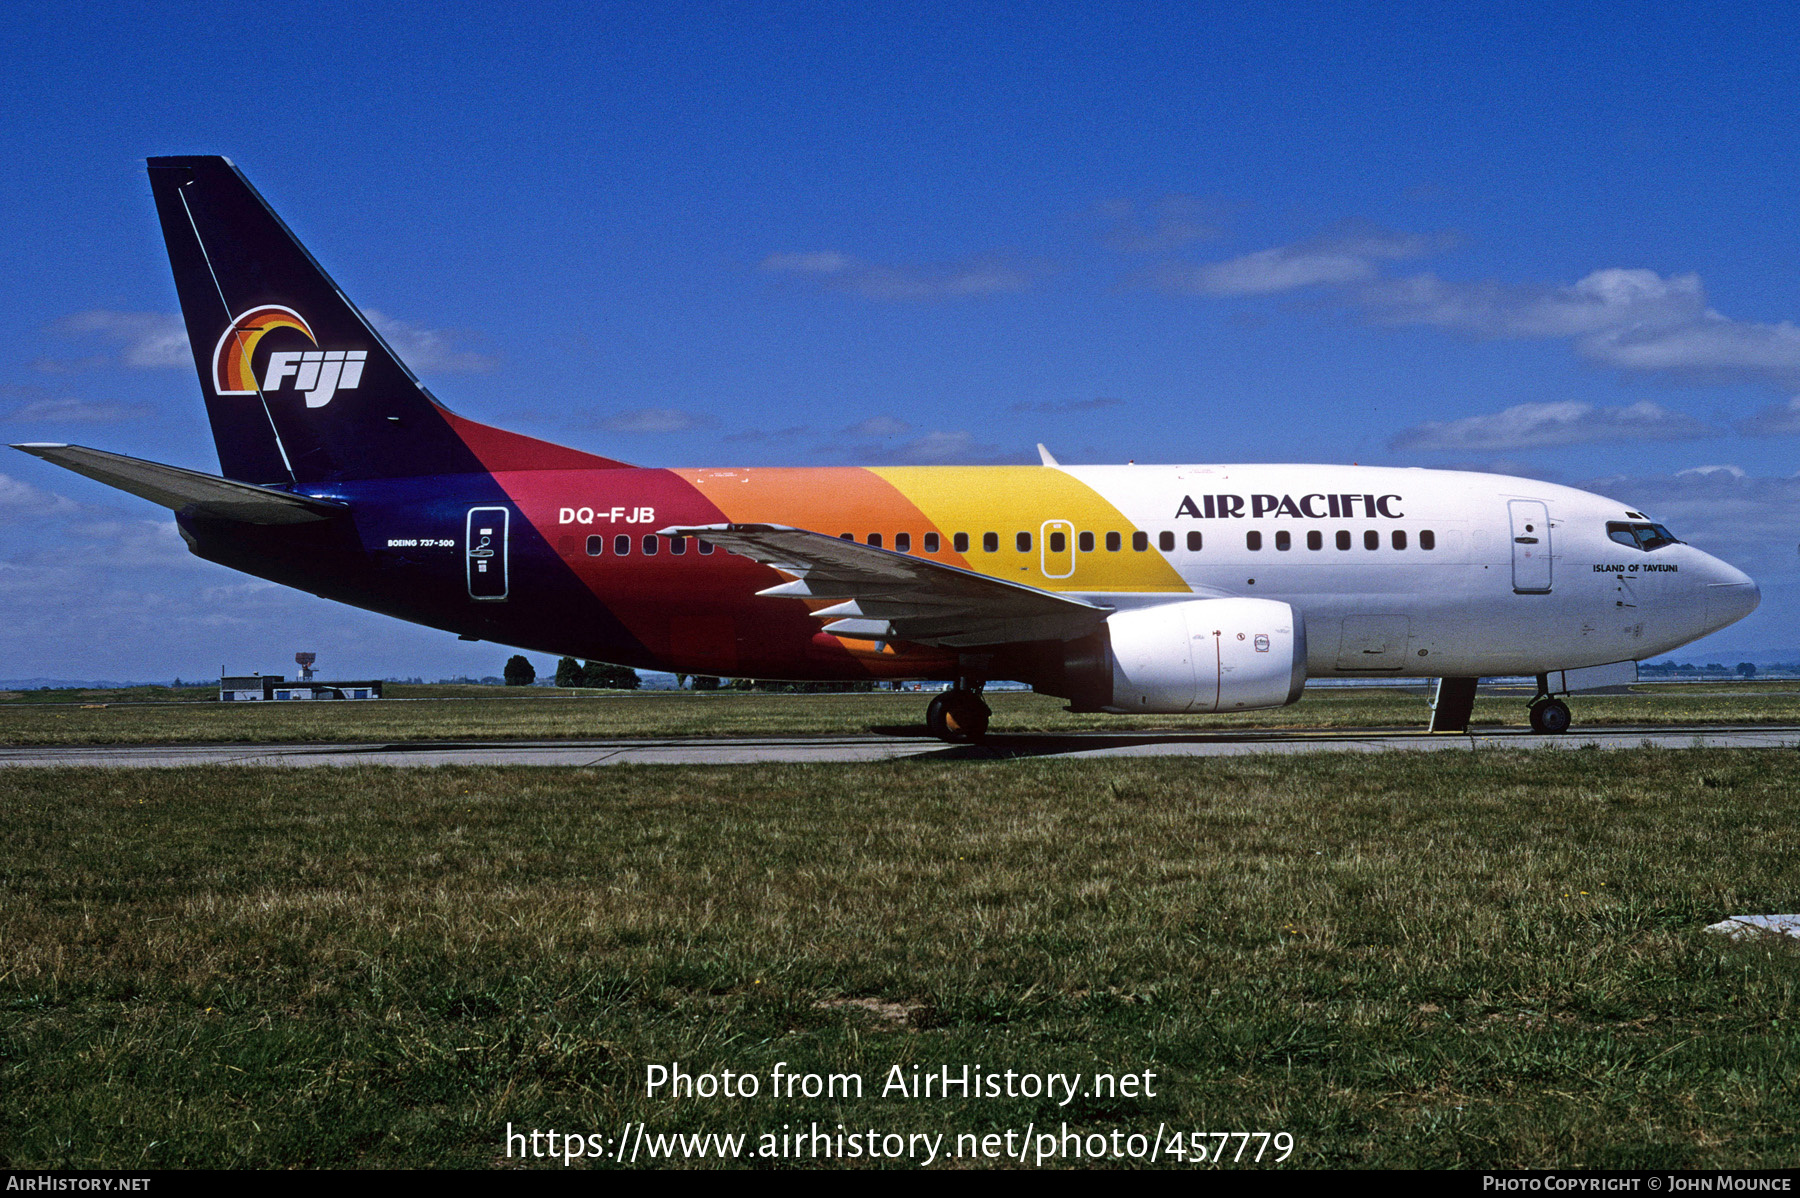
1122,589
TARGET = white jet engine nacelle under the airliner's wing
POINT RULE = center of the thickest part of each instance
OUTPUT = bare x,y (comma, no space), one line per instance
1191,657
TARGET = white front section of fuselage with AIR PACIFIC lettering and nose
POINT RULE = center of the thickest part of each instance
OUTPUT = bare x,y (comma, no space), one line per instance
1520,577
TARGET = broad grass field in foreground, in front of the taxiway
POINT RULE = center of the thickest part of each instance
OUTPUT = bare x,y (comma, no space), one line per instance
1408,961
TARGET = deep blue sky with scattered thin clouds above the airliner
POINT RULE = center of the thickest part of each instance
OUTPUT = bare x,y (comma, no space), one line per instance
1529,238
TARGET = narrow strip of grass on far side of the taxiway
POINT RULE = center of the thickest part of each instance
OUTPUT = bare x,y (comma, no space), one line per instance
496,713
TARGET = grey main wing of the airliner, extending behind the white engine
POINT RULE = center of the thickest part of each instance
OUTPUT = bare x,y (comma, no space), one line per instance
890,596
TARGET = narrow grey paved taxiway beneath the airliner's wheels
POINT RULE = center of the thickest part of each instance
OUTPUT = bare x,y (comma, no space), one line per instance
832,749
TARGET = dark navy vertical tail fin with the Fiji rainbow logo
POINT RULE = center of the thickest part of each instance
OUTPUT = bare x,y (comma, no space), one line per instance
300,386
